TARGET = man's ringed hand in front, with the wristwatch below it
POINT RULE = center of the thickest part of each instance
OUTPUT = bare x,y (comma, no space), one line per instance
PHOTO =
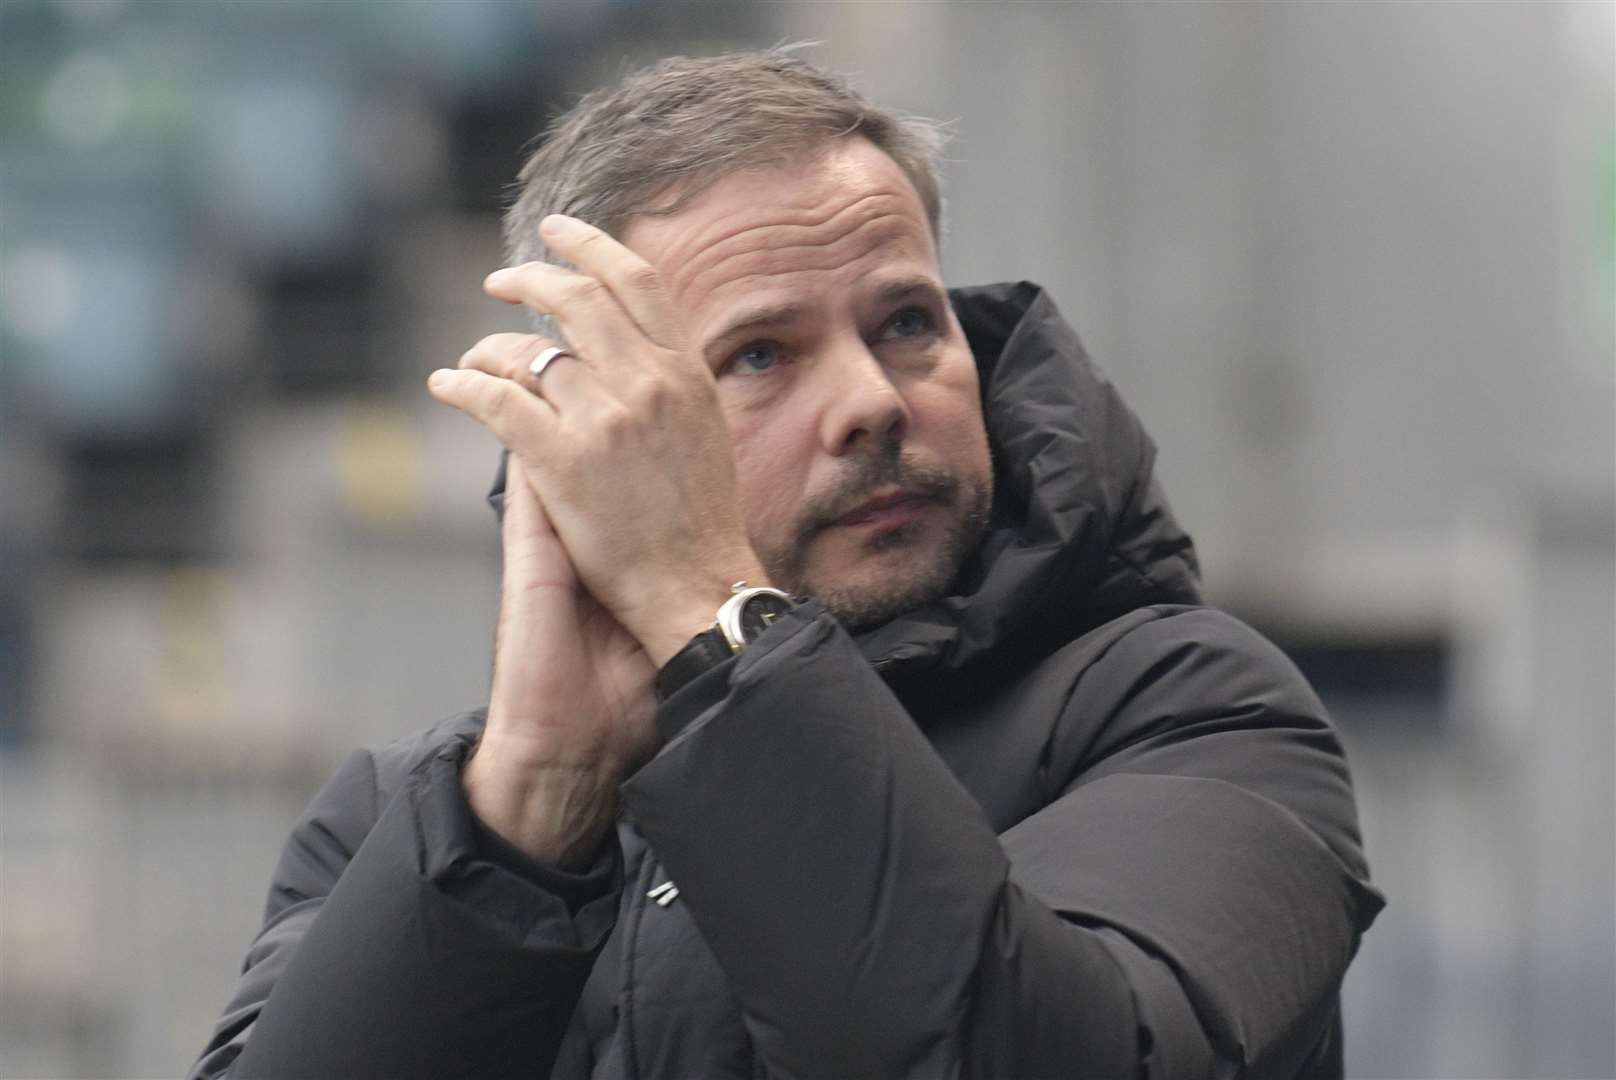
625,442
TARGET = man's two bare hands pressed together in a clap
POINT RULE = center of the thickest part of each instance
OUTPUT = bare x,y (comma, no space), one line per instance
621,536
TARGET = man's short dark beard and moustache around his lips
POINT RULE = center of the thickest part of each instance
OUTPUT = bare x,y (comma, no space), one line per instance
919,581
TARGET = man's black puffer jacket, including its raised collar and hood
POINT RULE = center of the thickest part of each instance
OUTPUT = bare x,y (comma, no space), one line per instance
1063,824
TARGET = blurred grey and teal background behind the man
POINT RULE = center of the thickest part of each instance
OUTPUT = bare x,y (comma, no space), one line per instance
1353,263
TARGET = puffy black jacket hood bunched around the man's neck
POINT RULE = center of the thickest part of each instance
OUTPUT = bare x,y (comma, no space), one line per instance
1082,531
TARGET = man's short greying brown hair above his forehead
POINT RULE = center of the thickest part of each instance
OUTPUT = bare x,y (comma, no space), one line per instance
670,132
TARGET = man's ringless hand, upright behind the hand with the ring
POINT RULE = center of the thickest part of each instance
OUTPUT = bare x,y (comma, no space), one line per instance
573,706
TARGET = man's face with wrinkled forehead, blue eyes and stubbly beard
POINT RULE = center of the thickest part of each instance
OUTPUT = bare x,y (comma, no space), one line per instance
851,394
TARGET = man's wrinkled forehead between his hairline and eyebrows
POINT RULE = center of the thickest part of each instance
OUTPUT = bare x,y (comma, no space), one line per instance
827,222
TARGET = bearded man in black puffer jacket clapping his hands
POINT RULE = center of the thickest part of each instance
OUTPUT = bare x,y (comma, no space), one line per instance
964,782
